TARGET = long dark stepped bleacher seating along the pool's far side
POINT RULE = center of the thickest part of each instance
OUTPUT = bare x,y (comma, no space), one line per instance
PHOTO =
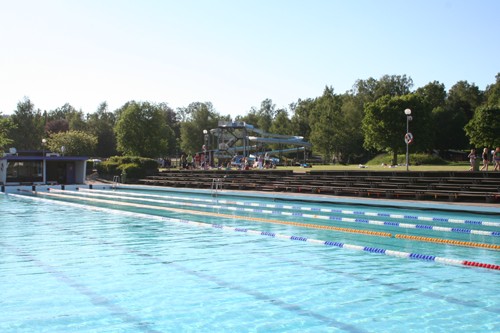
439,186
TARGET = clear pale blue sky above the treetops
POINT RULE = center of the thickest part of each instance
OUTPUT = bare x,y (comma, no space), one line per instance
235,53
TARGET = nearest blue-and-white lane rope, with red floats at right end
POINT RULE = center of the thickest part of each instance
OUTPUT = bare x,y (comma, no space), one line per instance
398,254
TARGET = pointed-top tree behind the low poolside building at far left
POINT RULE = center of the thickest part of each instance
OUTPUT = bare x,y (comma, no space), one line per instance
28,128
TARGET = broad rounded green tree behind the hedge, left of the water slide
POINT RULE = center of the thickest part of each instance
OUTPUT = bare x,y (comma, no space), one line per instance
141,130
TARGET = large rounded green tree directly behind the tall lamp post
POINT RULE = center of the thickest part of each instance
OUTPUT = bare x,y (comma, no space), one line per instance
384,124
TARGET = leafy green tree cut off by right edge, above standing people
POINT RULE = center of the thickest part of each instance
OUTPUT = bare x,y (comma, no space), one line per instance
484,128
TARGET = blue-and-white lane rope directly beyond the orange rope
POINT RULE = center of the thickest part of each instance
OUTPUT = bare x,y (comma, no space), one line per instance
309,216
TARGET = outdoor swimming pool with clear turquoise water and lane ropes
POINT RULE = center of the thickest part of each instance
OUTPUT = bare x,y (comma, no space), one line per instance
154,261
